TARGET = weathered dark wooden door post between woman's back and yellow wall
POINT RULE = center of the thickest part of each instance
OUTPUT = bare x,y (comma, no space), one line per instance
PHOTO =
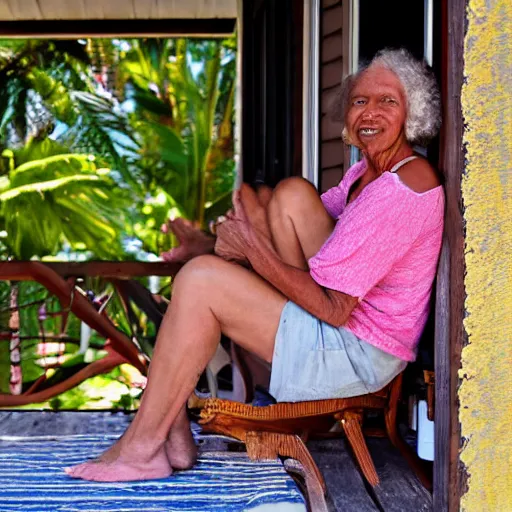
450,335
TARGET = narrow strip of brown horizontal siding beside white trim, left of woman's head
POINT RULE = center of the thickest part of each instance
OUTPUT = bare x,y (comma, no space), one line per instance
331,73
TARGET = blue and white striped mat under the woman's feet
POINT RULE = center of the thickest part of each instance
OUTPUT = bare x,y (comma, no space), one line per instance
32,479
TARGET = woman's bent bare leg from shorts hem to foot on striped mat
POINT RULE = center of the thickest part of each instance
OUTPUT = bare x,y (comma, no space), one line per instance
209,296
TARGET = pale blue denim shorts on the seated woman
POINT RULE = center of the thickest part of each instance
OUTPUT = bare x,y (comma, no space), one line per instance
314,360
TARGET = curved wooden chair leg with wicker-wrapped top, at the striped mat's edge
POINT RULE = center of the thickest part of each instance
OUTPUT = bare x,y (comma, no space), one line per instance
269,445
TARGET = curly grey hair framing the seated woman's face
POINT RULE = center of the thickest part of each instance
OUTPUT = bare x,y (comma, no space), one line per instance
421,91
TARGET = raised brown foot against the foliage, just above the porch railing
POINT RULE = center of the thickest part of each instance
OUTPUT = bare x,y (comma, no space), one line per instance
193,241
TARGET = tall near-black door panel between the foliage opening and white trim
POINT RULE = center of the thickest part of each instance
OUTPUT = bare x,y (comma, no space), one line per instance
272,90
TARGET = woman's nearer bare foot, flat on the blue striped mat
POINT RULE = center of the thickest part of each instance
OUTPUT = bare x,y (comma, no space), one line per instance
134,461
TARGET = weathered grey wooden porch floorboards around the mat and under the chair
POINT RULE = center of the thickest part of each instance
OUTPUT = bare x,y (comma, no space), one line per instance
399,491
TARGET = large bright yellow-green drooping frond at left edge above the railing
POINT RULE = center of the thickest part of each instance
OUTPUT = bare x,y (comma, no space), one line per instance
63,198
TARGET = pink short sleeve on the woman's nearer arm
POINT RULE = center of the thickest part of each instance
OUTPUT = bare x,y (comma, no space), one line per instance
372,234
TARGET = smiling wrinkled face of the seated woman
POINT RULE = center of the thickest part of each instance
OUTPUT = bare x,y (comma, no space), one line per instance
376,112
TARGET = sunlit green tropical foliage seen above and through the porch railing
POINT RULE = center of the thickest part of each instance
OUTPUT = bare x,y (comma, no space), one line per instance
101,141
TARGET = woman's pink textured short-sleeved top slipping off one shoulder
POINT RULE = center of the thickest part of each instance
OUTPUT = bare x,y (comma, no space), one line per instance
384,250
